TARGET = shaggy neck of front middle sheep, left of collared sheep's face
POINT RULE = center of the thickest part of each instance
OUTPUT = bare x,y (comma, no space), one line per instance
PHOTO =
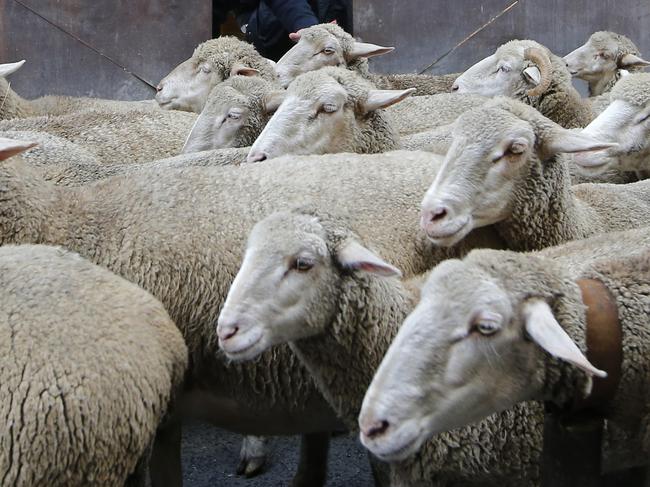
343,359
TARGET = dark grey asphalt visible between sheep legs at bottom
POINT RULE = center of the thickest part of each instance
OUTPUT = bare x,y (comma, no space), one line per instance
210,457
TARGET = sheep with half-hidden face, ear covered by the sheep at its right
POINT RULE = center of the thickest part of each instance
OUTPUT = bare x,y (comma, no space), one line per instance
234,115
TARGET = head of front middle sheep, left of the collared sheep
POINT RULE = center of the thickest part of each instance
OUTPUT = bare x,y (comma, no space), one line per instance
287,286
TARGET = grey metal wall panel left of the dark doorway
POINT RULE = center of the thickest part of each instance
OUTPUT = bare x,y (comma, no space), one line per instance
147,37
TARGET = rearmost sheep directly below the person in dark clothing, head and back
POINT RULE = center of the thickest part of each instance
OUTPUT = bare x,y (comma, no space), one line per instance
329,45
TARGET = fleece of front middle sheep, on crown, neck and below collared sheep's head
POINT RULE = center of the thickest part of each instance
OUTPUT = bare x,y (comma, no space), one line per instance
504,449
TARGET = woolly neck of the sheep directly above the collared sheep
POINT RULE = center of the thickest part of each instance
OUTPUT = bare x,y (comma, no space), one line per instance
544,210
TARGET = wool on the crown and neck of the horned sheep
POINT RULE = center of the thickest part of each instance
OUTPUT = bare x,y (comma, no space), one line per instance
561,102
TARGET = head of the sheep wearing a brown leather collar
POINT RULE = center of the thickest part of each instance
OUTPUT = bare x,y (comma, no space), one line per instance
478,342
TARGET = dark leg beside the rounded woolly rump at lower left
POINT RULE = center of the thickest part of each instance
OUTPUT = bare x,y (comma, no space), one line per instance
165,463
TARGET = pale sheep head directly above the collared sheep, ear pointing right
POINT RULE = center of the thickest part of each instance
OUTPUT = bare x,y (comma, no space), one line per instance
492,154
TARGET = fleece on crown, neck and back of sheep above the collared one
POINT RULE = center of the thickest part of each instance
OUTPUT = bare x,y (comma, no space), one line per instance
547,210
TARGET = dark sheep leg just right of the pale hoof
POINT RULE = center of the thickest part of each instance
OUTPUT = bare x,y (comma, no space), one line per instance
312,465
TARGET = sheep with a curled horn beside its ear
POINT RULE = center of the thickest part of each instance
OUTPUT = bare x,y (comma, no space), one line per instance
529,72
